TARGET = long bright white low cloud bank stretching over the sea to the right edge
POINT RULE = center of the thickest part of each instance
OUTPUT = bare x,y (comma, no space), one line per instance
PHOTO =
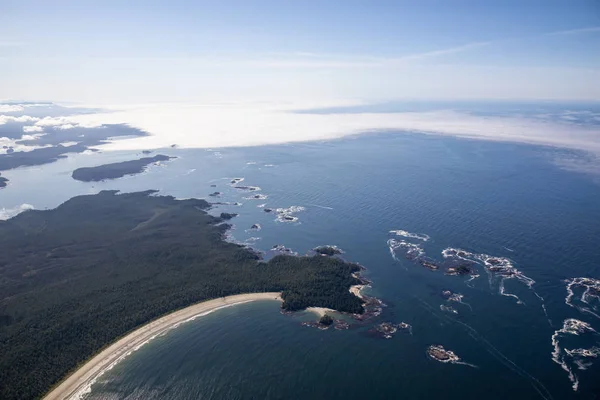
206,126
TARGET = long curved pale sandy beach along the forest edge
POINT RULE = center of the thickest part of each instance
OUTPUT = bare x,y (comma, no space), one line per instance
79,382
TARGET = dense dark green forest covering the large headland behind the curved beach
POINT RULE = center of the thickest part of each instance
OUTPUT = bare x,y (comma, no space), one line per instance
75,278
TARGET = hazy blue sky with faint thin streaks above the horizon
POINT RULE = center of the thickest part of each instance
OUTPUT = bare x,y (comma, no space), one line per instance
132,52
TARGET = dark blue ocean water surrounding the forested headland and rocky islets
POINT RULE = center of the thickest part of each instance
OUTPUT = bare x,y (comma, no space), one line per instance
499,199
